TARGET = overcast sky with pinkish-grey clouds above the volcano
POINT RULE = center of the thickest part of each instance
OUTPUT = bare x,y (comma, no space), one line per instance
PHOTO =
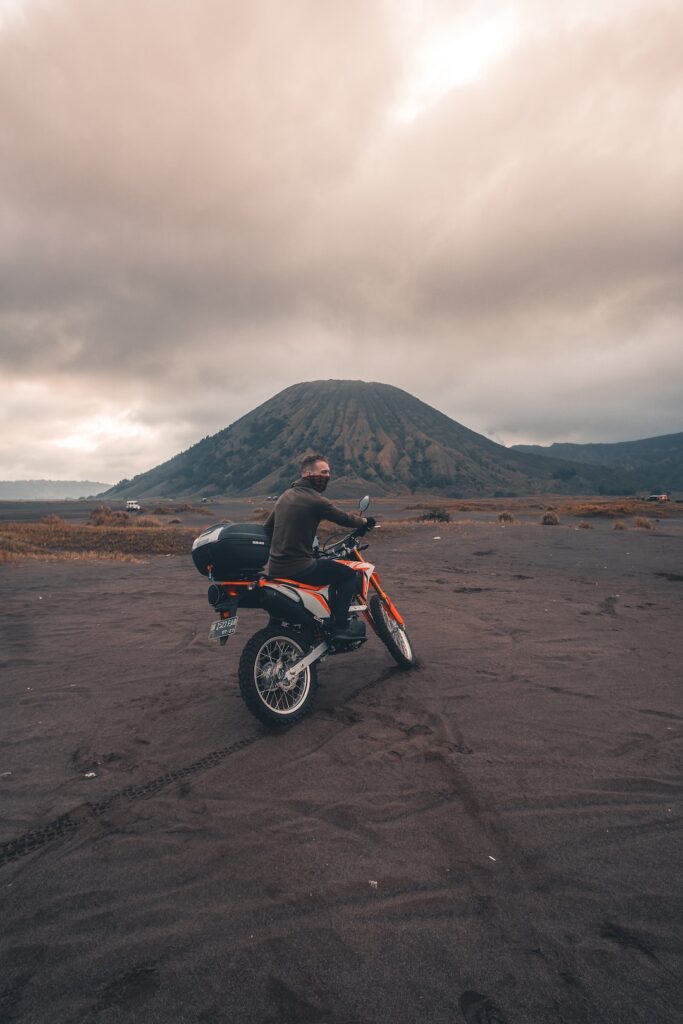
203,202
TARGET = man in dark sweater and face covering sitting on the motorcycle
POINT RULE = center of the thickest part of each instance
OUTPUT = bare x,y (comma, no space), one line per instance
293,525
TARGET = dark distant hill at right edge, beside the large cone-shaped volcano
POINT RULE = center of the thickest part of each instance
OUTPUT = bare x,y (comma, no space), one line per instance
654,464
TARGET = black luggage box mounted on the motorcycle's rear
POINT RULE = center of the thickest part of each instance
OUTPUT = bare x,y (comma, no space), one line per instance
230,551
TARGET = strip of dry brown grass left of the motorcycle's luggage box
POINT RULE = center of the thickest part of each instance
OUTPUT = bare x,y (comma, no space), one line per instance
59,540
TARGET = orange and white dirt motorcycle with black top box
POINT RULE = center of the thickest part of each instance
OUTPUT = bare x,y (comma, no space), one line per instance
278,673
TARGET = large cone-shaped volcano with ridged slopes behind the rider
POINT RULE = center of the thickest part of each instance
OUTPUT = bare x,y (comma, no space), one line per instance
376,438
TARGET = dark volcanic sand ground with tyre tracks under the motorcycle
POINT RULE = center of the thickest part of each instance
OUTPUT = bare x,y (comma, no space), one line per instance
493,838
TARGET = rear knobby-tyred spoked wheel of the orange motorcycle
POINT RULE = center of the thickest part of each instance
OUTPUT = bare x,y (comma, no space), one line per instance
266,691
